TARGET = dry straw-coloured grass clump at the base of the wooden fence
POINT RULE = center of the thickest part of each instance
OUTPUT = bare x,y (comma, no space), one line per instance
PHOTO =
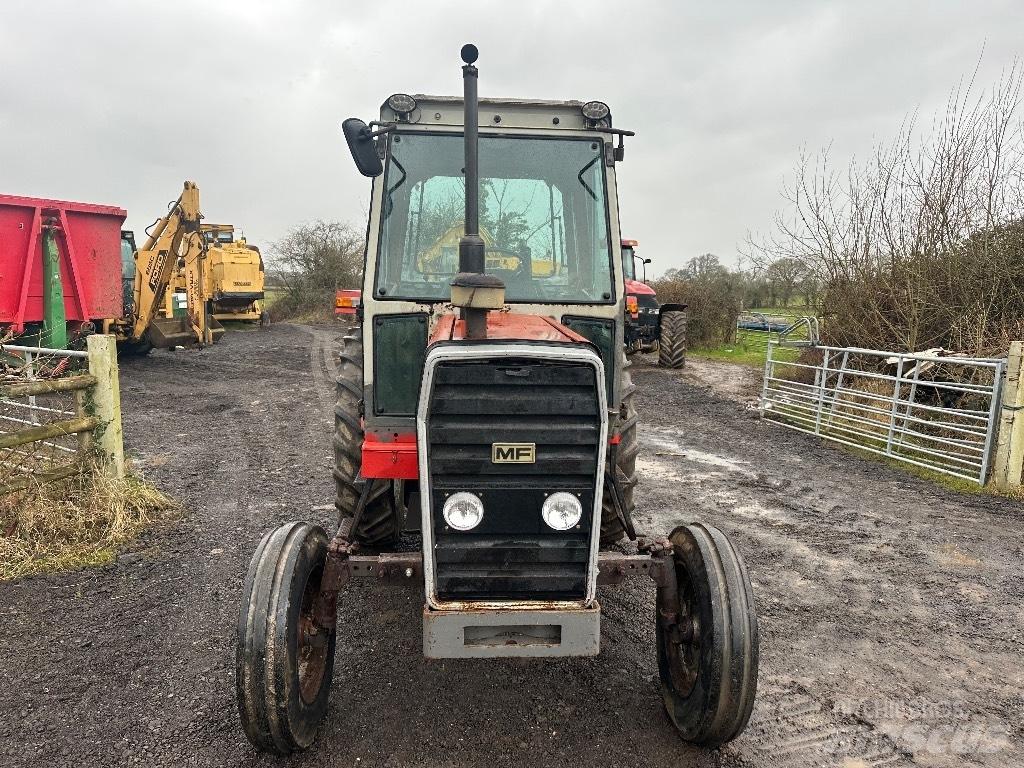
75,523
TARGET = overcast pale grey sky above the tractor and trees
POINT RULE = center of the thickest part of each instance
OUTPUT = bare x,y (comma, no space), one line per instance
118,103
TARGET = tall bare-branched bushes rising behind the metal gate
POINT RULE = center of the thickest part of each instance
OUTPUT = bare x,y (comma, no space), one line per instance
920,245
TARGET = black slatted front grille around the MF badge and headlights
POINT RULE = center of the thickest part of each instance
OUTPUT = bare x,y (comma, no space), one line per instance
513,554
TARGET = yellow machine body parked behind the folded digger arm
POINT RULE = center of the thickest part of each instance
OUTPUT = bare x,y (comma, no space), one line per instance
233,278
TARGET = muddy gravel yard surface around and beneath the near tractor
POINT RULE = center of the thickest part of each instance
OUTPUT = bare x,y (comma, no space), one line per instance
890,609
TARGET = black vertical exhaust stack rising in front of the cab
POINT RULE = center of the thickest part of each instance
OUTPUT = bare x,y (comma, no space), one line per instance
473,291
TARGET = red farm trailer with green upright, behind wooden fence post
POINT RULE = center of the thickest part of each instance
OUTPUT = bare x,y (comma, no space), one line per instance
60,268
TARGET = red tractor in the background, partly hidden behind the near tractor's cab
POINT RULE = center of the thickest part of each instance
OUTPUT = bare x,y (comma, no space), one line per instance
649,326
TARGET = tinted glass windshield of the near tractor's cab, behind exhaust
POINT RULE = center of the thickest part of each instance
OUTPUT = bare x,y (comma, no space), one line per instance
543,219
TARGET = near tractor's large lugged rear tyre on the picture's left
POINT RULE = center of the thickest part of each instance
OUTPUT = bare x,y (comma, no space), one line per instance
379,526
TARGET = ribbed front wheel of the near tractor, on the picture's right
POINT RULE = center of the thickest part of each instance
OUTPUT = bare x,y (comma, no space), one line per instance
708,658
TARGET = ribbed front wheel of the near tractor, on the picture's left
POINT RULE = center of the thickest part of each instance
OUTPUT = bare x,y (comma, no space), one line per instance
284,661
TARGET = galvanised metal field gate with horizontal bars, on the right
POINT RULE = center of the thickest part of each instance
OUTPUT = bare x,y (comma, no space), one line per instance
933,411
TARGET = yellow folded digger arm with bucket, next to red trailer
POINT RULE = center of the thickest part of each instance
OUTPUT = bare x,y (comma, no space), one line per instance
175,240
